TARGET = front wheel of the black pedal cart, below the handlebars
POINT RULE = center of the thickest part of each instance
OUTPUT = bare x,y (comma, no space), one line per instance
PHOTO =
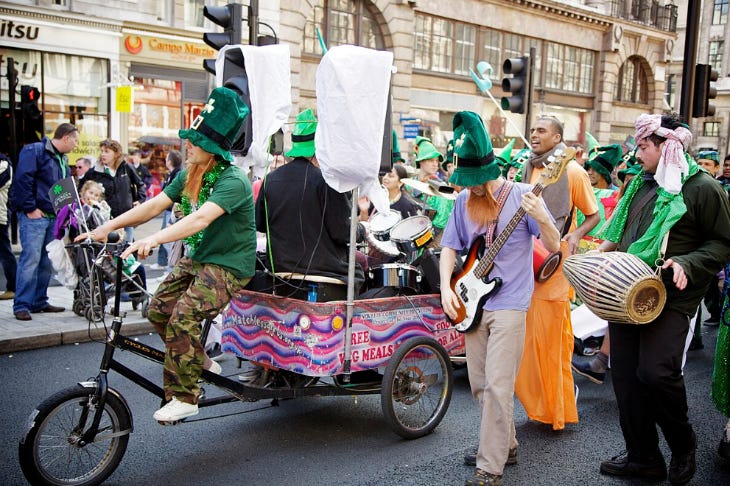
52,451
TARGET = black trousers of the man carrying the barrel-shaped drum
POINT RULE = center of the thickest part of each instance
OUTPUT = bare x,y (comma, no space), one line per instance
646,370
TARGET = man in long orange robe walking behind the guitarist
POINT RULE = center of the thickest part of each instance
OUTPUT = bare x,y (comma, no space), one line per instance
545,381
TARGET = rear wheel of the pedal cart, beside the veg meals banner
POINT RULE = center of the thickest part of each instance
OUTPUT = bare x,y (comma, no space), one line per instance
416,388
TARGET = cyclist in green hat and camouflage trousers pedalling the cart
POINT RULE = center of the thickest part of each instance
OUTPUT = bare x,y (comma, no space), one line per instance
218,227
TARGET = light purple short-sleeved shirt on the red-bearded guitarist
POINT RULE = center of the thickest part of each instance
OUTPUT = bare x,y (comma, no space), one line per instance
513,262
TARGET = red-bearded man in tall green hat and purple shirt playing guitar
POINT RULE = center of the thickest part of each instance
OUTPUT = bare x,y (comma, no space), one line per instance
494,346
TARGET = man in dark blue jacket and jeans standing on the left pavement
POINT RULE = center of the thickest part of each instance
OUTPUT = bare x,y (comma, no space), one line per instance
40,165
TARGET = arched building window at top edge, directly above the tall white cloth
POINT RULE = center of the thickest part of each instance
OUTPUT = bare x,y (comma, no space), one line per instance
342,22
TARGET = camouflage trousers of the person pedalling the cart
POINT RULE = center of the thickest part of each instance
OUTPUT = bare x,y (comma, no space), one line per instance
191,293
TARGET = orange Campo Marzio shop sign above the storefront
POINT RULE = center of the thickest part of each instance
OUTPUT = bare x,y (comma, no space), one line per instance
167,49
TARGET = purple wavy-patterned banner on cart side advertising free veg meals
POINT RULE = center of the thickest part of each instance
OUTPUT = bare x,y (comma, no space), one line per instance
308,337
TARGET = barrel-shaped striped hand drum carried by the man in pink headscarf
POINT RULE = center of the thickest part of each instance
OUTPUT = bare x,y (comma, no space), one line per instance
616,286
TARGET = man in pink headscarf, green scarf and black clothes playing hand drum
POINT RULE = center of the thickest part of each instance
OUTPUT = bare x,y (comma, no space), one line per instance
675,216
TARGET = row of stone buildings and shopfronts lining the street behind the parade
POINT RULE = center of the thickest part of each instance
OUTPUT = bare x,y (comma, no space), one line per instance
597,64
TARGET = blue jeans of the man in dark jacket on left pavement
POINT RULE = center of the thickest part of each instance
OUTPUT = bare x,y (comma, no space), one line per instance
34,267
